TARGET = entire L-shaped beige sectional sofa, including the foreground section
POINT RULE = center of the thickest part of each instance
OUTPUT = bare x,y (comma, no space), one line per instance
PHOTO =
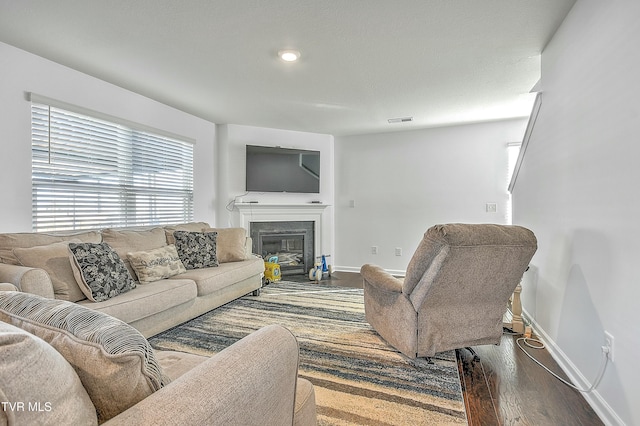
69,360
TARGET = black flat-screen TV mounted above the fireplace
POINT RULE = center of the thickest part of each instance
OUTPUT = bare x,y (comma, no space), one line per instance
275,169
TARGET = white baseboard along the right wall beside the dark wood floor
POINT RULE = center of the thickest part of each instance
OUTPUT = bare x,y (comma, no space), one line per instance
594,399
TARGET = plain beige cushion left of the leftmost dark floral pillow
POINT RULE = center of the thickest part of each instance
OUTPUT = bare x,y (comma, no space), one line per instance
54,259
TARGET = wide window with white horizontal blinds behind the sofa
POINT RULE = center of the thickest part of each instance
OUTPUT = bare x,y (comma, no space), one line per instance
88,172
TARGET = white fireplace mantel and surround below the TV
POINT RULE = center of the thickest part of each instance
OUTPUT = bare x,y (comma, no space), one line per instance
267,212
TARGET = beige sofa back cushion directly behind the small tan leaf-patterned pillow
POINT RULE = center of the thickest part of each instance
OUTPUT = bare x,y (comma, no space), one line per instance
124,241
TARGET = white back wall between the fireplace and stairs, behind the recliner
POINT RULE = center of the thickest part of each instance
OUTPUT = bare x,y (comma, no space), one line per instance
404,182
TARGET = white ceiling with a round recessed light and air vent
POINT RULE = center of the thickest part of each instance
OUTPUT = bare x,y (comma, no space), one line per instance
362,62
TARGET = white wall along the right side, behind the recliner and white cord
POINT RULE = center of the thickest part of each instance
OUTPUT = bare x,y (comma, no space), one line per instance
578,191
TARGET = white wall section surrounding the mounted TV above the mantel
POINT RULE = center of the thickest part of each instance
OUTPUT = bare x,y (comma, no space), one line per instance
231,177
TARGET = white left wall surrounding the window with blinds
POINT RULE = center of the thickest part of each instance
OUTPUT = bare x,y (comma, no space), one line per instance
22,72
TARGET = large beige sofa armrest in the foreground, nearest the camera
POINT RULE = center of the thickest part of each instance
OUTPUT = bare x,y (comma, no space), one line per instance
252,382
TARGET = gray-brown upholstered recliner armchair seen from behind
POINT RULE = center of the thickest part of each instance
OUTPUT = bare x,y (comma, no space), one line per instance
455,291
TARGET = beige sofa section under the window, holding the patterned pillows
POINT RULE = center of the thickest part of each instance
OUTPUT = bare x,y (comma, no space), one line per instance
39,264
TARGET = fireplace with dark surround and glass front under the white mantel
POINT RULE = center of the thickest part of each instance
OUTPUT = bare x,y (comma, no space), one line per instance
291,241
